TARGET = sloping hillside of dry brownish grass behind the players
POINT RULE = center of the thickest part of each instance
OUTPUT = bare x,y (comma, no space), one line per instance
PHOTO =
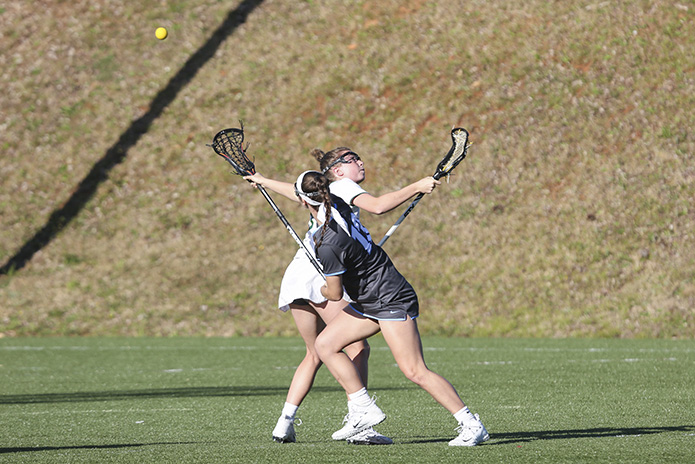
572,215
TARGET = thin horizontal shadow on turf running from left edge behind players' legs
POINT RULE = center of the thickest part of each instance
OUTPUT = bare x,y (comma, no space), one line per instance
188,392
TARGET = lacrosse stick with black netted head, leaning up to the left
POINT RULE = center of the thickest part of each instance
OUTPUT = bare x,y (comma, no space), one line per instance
228,143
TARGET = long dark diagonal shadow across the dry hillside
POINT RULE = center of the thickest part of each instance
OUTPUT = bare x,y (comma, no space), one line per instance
84,191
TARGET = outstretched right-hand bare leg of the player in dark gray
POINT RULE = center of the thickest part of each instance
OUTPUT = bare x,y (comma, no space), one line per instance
403,339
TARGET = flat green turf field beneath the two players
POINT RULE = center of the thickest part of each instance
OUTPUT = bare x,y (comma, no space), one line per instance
216,400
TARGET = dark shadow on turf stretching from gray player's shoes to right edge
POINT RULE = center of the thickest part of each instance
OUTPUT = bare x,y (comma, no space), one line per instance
601,432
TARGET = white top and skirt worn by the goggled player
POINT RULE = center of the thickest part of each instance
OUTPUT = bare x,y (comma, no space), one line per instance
301,280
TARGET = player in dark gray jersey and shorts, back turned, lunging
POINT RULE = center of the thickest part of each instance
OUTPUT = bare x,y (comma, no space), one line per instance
383,301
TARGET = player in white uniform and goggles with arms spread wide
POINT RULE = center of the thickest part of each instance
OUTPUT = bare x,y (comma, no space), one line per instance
300,288
